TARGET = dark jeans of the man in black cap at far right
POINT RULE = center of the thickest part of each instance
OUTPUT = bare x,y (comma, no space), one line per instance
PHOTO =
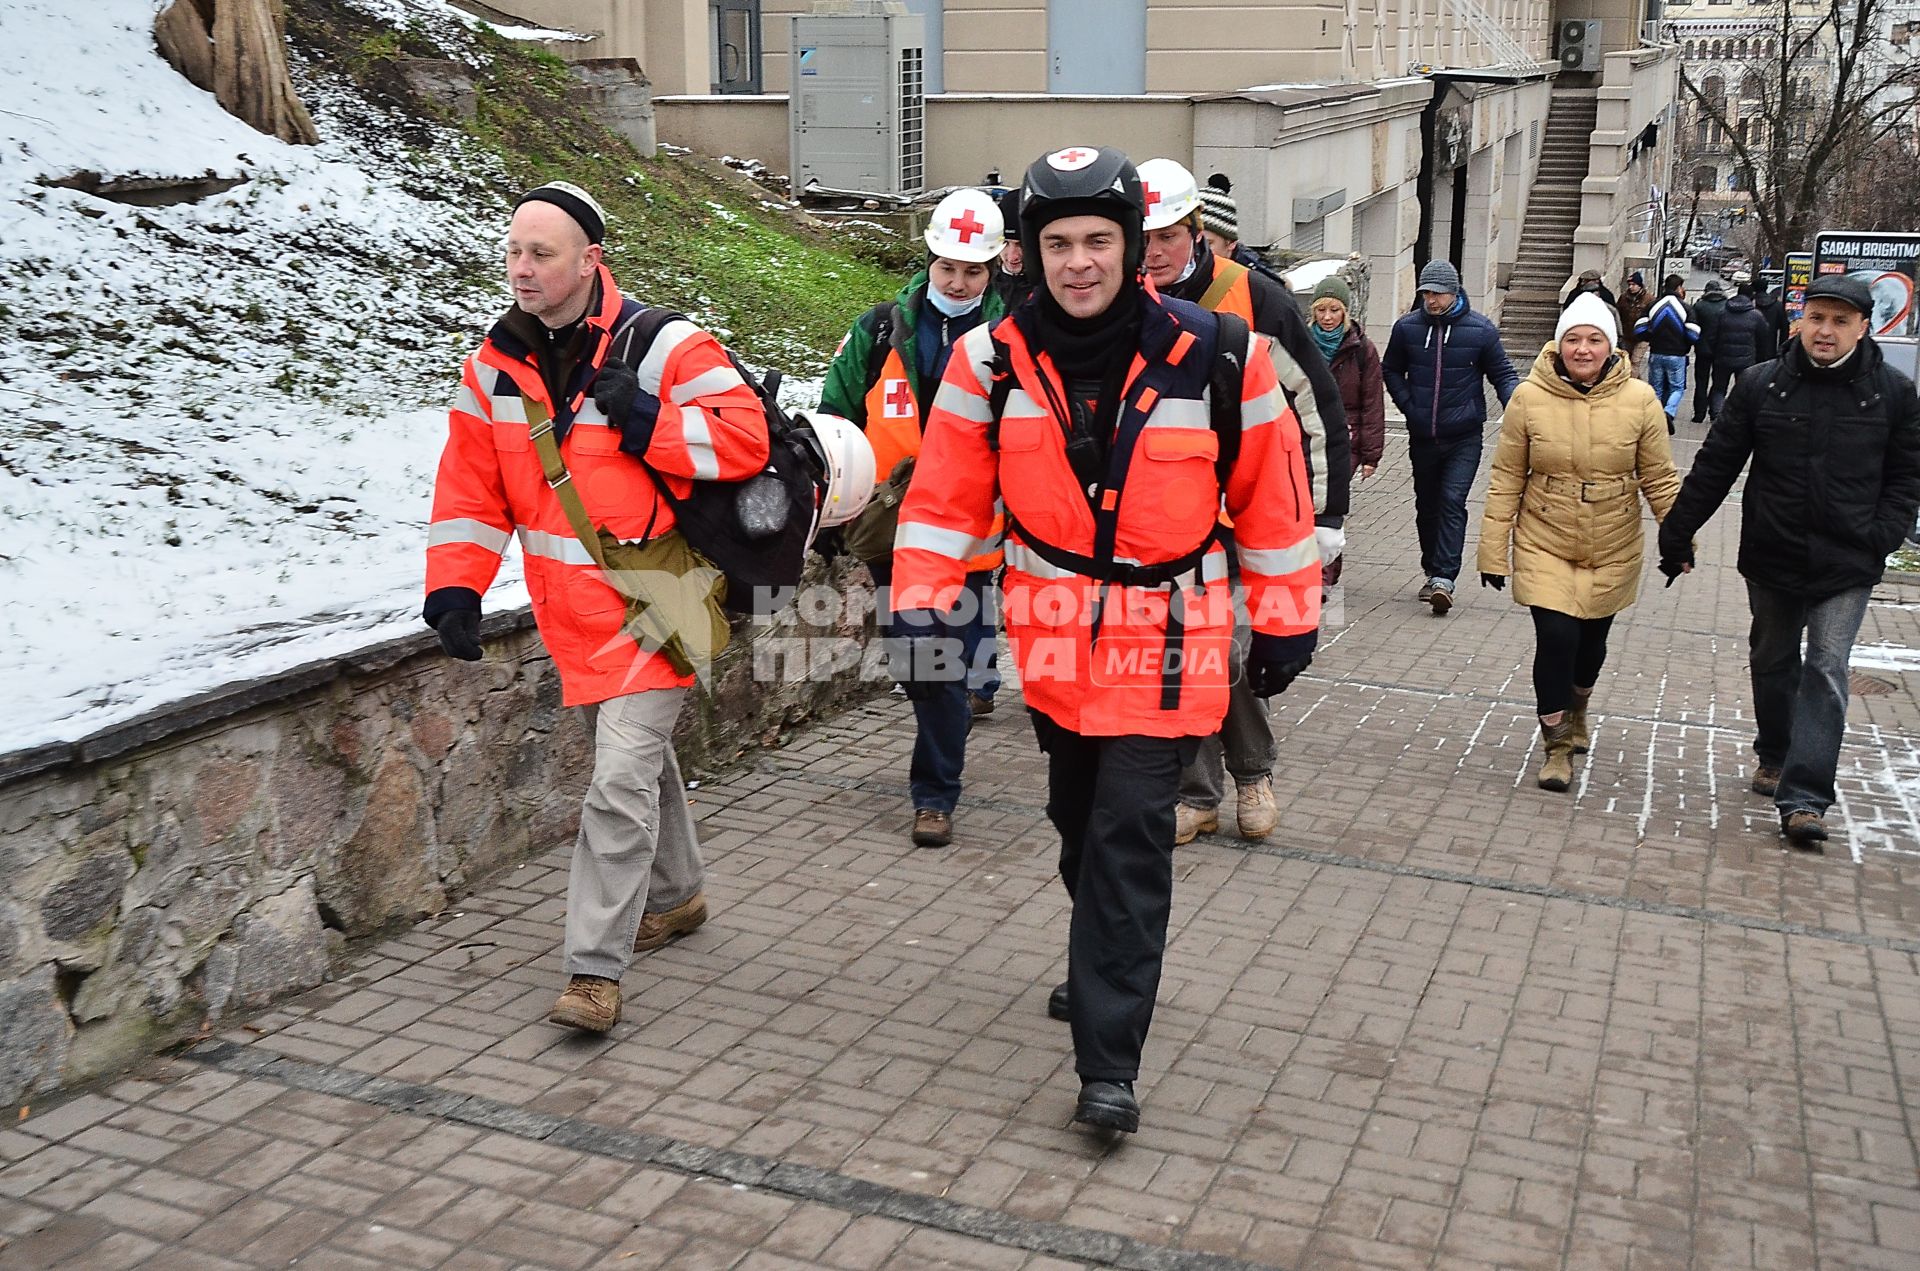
1802,706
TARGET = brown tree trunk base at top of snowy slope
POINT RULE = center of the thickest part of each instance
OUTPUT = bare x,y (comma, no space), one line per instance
237,51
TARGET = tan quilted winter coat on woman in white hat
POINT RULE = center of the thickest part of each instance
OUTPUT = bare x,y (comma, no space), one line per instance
1566,491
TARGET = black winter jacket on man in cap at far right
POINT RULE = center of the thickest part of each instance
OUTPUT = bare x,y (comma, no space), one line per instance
1836,473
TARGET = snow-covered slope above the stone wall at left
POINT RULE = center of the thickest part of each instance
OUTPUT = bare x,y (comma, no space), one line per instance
220,420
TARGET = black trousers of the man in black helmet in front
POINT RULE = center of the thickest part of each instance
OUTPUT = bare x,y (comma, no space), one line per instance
1113,803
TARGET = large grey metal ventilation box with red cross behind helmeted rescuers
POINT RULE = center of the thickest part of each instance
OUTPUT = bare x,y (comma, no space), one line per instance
857,114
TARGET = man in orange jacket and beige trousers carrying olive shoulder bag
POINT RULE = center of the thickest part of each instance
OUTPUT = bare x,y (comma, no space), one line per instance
627,421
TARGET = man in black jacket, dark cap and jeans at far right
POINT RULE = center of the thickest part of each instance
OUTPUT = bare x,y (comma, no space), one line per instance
1835,437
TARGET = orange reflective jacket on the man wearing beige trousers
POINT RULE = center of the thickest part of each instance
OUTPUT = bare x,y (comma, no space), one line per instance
491,485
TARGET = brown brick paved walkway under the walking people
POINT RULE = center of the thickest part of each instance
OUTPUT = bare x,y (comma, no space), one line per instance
1439,1020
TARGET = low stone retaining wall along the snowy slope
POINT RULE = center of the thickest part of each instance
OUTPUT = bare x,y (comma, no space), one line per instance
222,853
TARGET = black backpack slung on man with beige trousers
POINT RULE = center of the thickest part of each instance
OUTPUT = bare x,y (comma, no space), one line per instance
780,502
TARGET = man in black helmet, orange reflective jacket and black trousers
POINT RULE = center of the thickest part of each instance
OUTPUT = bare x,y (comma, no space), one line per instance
1090,414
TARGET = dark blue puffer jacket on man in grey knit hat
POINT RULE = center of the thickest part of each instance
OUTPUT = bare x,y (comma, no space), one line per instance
1435,372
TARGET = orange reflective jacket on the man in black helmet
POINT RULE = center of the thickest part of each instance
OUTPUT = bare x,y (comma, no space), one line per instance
1118,658
